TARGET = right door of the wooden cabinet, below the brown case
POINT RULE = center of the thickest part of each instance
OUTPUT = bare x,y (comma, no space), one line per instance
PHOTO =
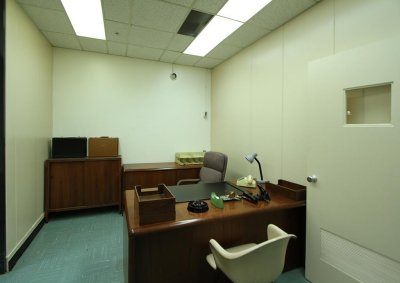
102,182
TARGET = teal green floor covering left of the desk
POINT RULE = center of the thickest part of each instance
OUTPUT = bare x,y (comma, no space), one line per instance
83,247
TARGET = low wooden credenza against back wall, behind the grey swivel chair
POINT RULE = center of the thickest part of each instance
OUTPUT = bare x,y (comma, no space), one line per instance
149,175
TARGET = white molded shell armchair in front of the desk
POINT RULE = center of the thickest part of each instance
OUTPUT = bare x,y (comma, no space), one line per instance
247,263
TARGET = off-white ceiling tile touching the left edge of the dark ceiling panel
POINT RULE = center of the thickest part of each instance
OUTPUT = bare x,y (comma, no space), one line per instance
158,15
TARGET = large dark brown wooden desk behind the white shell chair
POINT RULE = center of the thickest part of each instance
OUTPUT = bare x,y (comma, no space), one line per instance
175,251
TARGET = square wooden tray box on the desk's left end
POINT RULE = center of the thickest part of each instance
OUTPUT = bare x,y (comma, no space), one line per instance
154,205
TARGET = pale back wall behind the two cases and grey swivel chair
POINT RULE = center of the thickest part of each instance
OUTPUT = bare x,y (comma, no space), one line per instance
134,100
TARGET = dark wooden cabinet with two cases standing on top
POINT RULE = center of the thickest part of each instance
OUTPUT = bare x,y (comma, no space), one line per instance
79,183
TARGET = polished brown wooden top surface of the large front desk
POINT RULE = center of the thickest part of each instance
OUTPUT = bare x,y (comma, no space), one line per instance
187,218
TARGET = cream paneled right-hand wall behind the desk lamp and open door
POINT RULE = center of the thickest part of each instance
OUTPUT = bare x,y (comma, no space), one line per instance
259,97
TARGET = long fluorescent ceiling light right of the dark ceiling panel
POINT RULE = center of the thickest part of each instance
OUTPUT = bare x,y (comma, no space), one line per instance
232,15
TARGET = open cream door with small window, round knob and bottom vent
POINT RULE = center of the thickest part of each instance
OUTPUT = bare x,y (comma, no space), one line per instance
353,211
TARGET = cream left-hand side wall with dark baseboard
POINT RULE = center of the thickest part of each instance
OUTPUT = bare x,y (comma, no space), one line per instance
28,124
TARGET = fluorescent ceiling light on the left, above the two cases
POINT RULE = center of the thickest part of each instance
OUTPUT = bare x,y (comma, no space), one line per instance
86,17
